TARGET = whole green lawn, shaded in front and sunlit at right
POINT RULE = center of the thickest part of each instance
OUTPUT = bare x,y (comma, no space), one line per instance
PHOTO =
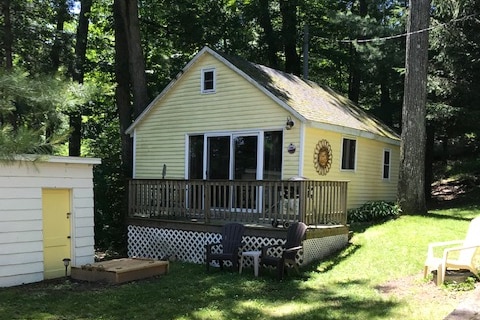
342,287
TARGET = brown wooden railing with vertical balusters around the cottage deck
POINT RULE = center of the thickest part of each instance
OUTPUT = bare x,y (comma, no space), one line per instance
275,202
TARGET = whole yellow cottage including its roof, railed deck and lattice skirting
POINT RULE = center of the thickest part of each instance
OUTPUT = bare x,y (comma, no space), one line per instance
229,140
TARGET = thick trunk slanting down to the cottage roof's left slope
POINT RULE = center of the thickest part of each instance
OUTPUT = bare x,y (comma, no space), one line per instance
129,13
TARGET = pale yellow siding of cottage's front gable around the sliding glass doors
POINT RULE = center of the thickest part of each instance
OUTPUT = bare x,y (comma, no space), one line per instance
236,106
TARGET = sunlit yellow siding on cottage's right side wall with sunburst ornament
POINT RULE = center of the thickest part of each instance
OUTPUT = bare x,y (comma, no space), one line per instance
366,182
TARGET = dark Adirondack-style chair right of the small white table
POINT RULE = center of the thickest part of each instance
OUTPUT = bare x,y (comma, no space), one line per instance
295,235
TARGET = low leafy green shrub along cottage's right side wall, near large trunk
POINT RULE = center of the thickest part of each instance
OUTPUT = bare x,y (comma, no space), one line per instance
375,211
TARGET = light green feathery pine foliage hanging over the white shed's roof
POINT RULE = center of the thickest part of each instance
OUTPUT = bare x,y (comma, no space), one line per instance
33,111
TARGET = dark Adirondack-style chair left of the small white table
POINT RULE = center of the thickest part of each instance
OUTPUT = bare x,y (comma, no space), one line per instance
228,248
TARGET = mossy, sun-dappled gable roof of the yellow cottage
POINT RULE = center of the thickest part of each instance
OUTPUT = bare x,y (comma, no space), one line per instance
310,102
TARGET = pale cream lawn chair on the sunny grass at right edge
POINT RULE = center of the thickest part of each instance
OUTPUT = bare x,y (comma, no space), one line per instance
466,251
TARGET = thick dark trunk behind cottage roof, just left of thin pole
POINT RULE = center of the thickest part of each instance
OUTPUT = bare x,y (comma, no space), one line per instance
288,9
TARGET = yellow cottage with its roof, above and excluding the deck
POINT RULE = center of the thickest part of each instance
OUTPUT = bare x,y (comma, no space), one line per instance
225,118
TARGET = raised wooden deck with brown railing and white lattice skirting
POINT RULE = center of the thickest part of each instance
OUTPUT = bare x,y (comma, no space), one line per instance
179,217
